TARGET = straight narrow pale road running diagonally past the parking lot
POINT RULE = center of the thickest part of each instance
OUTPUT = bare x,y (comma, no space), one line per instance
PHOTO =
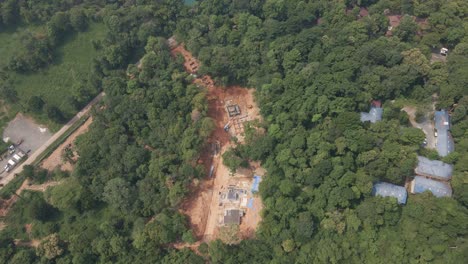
5,180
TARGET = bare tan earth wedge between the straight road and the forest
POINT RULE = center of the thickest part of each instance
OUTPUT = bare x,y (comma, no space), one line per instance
56,160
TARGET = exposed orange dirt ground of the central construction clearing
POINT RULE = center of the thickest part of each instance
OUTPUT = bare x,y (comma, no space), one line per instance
202,206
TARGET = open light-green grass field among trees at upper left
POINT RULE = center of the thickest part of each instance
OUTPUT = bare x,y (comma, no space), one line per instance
72,62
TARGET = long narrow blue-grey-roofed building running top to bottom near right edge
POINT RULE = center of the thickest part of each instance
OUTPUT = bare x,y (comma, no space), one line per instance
444,143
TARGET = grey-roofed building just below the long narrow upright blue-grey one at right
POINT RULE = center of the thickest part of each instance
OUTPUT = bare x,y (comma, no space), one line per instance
434,169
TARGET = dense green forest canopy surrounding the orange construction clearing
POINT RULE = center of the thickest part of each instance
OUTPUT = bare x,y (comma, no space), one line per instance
315,65
